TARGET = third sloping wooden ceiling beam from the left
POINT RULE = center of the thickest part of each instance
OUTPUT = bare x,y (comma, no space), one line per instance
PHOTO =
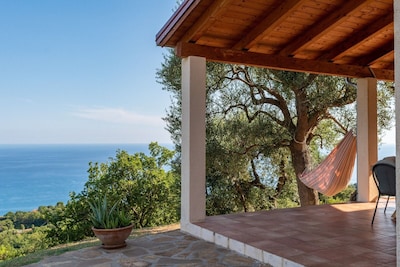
320,27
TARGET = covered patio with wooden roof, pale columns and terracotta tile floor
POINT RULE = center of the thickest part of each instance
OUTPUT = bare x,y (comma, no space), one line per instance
354,39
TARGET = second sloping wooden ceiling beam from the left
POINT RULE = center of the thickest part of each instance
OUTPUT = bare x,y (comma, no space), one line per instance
262,28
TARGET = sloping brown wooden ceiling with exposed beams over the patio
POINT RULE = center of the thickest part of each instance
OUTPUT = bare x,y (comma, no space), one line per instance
353,38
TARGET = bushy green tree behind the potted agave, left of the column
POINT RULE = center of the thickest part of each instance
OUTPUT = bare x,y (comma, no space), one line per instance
142,184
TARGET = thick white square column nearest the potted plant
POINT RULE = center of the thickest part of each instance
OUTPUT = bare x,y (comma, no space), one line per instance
193,168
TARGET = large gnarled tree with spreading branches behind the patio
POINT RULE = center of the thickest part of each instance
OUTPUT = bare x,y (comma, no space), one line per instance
257,116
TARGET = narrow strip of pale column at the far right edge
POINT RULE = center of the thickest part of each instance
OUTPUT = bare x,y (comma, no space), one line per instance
397,120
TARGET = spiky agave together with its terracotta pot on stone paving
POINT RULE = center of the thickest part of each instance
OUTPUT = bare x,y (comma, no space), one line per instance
110,224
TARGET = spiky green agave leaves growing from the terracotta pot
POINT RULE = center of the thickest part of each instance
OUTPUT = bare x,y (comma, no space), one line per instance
106,216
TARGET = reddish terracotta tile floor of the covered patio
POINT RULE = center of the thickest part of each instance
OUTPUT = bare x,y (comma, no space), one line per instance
326,235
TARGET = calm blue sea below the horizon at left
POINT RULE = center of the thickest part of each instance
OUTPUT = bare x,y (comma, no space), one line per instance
42,175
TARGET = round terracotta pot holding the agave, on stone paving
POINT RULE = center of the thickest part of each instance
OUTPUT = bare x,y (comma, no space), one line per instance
113,238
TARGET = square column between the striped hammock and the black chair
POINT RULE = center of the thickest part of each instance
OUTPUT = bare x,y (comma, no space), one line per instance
367,138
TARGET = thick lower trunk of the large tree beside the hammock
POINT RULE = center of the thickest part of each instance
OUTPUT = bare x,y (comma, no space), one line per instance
301,161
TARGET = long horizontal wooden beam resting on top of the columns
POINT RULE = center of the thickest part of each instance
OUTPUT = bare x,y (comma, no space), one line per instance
280,62
